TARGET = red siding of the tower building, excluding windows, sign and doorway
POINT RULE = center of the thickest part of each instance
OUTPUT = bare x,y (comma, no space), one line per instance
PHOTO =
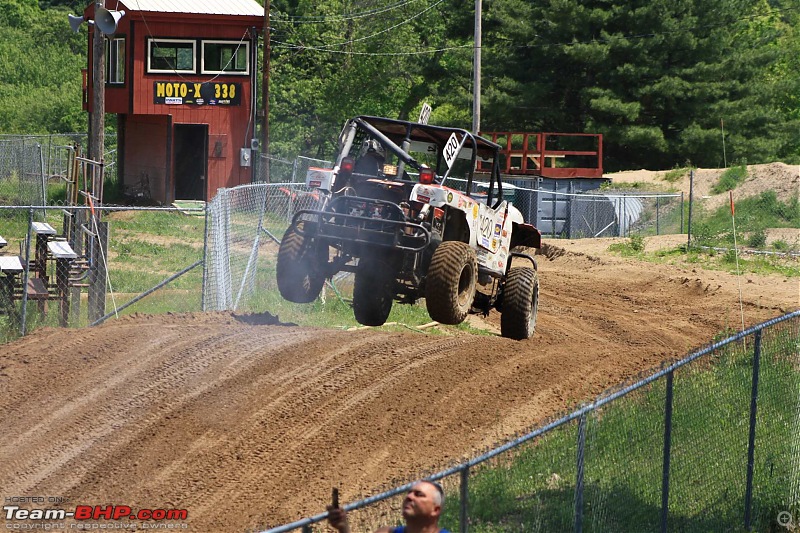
147,126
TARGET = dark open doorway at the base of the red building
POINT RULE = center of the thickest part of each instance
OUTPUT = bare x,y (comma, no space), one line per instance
191,161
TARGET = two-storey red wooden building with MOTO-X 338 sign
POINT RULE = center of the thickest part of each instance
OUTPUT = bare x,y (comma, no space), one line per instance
181,76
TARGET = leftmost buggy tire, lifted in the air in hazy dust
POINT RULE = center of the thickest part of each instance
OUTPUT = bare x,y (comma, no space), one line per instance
299,267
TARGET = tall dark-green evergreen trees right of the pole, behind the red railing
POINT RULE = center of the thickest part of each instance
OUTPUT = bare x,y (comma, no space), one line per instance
656,77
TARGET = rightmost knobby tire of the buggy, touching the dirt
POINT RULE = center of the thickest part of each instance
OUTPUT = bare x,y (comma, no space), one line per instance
520,304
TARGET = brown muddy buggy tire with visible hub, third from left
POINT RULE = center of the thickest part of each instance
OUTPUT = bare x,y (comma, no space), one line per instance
451,282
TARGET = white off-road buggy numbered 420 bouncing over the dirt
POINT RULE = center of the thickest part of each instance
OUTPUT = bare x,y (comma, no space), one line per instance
403,210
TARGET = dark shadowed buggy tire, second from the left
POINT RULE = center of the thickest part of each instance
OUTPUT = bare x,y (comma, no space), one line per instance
373,292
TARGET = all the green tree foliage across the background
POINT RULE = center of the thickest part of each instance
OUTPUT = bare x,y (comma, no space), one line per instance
665,81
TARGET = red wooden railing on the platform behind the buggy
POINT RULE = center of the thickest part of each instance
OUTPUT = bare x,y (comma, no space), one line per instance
542,154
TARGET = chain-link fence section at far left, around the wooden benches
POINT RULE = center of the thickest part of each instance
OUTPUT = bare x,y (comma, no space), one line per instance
79,266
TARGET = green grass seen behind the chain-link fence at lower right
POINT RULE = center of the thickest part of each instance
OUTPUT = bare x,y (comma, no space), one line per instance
533,487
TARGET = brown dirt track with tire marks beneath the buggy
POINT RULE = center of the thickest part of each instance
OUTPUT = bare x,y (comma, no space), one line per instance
248,426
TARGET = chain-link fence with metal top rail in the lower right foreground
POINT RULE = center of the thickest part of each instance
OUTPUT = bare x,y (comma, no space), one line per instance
708,443
